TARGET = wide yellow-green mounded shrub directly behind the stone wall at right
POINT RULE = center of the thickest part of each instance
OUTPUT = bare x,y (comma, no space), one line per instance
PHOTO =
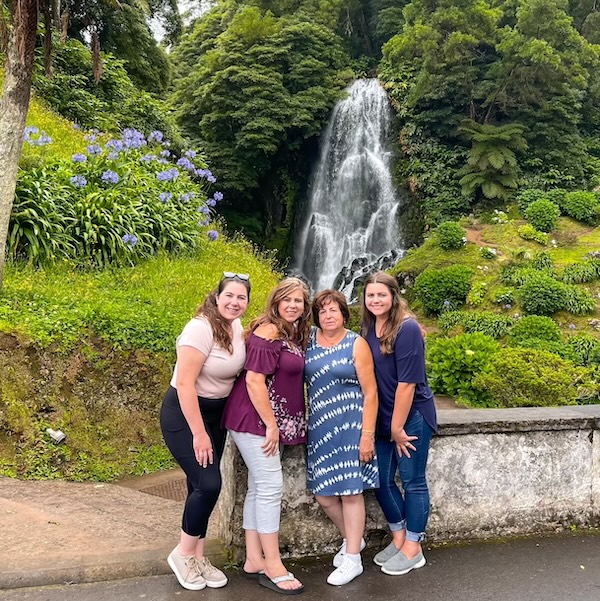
521,377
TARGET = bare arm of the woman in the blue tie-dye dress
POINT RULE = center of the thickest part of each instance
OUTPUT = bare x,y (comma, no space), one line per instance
365,370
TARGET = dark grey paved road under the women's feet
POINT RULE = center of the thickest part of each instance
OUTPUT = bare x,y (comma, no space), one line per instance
541,569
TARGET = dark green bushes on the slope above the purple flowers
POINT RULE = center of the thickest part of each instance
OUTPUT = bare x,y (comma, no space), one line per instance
111,105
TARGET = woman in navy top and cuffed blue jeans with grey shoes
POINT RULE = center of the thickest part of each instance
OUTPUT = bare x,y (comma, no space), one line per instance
405,421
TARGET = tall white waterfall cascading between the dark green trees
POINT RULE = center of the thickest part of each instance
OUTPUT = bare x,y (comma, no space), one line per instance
350,227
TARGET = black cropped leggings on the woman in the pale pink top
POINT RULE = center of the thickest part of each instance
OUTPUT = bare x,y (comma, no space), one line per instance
204,483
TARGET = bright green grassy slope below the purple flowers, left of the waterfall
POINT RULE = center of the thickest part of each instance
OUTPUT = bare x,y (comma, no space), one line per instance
141,307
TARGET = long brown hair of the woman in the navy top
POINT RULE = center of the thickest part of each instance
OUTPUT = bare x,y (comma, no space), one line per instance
398,312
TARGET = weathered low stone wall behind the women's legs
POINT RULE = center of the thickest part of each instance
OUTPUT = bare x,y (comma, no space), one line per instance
492,472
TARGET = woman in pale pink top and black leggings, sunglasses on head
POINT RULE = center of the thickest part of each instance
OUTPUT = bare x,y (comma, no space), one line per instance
210,354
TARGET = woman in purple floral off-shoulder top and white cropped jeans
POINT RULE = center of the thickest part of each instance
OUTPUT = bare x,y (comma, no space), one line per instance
266,410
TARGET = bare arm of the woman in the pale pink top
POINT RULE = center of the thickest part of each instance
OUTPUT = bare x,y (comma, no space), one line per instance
189,366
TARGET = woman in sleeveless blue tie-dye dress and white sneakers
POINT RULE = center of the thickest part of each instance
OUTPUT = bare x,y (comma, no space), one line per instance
342,410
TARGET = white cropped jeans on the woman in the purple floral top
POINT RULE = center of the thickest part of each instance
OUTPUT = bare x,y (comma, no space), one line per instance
262,507
